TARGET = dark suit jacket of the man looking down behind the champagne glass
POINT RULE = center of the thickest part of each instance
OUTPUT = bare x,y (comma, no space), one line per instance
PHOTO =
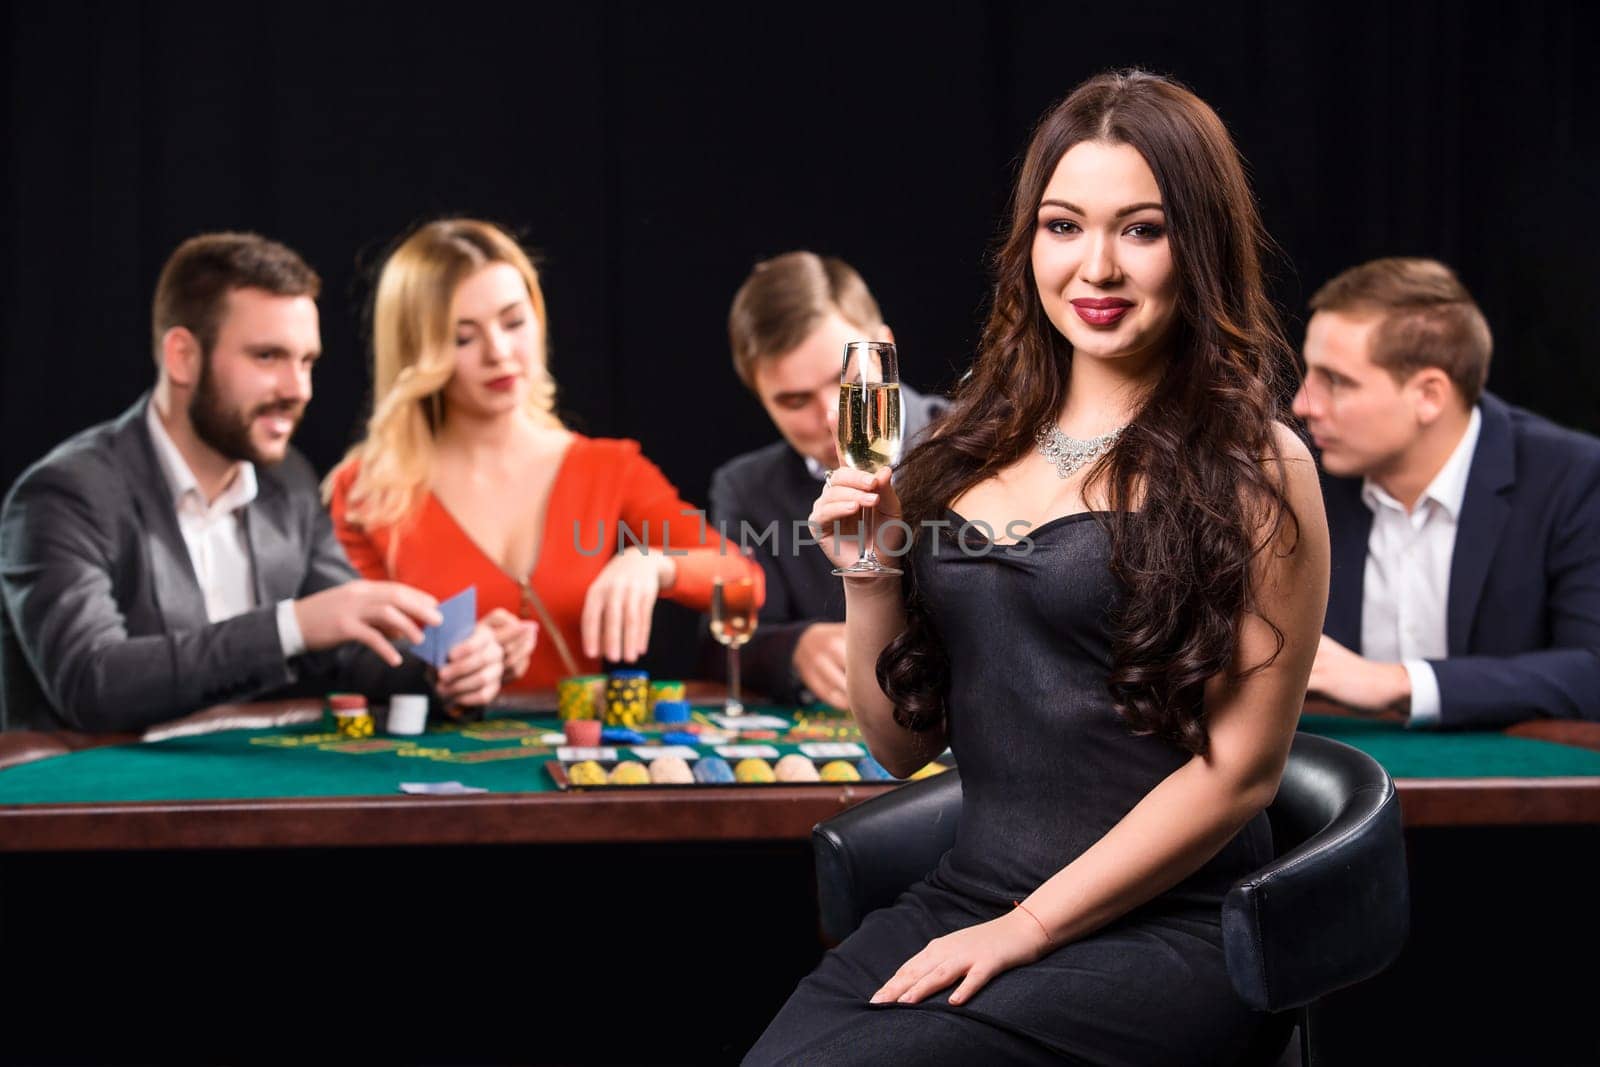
774,486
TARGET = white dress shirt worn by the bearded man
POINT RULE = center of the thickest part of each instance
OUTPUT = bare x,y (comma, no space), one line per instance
215,538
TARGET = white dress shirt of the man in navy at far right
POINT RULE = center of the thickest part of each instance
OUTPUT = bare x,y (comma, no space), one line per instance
1406,588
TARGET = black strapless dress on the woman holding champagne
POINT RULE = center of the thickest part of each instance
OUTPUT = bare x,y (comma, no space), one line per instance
1047,770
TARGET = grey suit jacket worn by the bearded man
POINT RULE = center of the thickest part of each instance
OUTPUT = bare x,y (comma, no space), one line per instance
103,623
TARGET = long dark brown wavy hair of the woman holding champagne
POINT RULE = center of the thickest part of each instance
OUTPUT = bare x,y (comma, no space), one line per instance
1196,460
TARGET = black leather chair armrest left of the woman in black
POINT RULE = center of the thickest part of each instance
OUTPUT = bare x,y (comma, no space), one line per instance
870,855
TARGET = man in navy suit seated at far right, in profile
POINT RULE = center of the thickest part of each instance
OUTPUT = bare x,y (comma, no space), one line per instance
1466,533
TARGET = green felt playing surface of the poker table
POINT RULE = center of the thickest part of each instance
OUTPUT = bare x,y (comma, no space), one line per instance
311,762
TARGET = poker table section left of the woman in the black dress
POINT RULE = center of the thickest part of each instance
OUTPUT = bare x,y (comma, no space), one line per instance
297,785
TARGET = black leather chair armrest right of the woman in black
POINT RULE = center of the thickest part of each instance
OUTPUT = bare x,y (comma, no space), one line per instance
1326,914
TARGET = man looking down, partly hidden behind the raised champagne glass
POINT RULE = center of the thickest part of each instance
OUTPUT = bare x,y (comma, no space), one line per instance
788,329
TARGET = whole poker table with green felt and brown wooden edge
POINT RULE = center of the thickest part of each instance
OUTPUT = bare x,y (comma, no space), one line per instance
295,785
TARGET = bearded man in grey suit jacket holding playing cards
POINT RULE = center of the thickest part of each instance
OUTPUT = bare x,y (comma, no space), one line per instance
180,556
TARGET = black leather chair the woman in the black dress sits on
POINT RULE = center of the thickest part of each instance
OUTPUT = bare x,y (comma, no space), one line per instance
1332,909
